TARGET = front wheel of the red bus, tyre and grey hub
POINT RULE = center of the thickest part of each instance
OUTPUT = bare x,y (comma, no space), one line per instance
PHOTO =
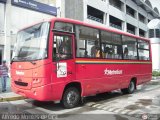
71,98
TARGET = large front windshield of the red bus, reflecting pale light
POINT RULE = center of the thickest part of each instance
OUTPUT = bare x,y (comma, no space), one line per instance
32,43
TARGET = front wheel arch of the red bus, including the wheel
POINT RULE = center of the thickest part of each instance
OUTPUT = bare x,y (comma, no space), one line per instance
71,95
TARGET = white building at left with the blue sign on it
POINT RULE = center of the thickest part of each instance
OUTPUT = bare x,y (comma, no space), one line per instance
16,14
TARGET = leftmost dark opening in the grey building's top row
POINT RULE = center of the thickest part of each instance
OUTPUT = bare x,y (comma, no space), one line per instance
117,3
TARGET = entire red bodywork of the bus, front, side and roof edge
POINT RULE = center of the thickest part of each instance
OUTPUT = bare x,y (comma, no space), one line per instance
94,75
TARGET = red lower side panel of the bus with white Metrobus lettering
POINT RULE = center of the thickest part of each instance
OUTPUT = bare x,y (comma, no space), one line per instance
101,76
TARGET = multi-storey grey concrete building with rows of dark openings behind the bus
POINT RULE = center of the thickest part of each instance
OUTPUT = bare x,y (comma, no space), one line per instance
127,15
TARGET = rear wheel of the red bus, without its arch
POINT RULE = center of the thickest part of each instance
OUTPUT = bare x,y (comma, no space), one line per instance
130,89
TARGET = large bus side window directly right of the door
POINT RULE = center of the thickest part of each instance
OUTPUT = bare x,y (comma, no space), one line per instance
88,44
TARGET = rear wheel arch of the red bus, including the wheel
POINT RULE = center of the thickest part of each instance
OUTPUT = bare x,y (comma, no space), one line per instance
131,87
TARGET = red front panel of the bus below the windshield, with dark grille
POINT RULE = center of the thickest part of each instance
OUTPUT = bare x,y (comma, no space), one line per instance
33,81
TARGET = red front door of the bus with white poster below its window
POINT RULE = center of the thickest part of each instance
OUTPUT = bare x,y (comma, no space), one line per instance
63,62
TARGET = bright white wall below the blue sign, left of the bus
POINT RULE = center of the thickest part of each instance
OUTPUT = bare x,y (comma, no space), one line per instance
17,17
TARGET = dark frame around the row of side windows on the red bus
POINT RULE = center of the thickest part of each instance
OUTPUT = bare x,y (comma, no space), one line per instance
74,50
